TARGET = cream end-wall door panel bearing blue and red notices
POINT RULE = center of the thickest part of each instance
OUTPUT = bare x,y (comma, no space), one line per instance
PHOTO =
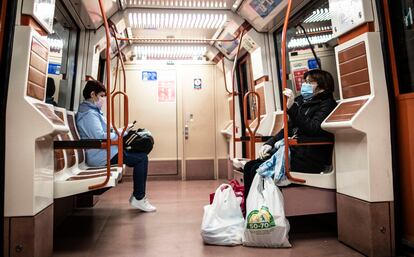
154,107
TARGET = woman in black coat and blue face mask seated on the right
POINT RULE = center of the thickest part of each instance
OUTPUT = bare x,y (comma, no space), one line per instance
306,114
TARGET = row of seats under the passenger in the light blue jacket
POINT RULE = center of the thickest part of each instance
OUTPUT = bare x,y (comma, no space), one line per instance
72,175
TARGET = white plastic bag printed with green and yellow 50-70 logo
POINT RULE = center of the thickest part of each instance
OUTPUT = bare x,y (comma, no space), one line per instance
266,224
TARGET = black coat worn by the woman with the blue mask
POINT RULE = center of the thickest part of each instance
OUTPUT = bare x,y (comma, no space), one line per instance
305,119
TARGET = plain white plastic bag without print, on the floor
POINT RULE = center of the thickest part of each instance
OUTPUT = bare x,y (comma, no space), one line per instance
223,222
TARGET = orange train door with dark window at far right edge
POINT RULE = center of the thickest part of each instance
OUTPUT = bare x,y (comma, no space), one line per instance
399,21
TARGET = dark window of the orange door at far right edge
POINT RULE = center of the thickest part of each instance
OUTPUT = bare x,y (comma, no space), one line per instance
401,13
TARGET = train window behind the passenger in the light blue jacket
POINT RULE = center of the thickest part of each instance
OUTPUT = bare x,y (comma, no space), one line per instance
62,58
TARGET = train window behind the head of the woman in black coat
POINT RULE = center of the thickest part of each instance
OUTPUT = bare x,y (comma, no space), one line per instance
309,45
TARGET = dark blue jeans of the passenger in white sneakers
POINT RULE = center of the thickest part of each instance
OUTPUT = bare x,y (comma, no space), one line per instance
139,161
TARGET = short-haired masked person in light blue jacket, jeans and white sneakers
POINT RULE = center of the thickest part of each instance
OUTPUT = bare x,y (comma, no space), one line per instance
91,124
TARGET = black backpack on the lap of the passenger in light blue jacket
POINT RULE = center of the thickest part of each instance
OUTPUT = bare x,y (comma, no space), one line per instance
139,140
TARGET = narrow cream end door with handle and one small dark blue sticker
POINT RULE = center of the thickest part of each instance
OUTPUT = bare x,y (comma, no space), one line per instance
198,88
